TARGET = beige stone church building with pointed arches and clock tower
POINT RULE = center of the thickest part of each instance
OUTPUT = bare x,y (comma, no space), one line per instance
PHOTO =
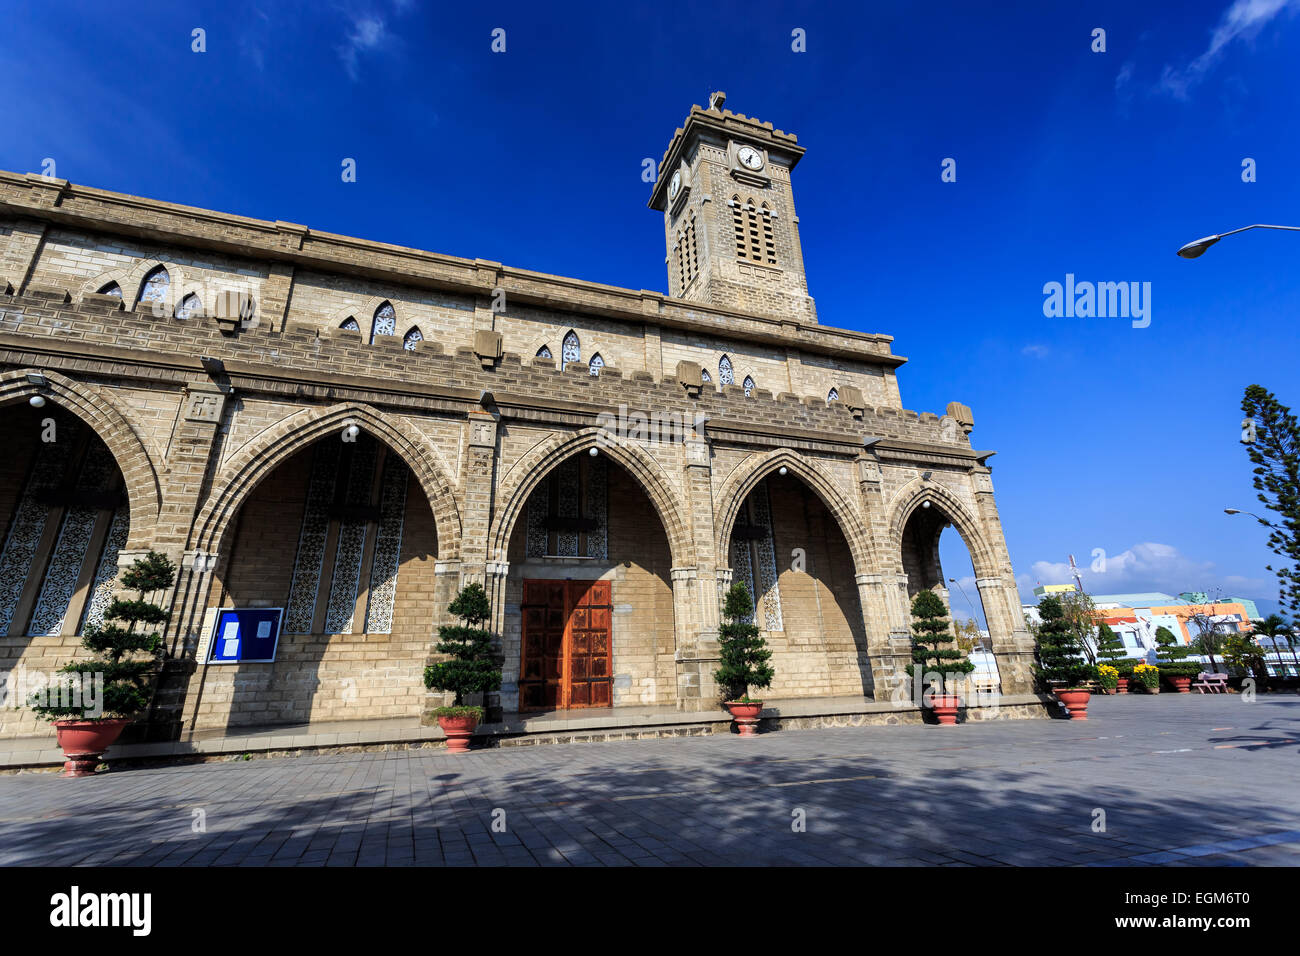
353,431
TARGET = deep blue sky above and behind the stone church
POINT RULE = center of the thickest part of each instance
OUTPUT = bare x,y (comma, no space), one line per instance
1068,162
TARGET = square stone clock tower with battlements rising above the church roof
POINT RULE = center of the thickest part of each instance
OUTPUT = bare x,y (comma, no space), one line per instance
729,215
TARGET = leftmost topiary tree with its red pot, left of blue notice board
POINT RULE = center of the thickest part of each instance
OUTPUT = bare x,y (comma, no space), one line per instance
97,700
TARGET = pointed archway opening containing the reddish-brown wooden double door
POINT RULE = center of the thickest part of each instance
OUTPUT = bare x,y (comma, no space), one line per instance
590,607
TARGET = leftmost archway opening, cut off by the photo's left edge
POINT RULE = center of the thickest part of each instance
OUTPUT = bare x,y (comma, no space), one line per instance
64,517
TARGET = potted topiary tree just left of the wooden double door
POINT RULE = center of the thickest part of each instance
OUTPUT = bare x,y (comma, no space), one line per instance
474,668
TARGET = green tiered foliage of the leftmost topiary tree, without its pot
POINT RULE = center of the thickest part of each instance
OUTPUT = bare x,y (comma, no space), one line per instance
125,657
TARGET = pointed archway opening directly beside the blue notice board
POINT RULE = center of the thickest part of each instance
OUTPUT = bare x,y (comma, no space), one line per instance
341,537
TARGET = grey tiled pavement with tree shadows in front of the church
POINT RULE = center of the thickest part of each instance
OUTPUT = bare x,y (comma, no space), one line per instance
1182,781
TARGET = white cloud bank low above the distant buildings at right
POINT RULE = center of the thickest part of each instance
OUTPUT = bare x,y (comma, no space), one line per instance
1146,566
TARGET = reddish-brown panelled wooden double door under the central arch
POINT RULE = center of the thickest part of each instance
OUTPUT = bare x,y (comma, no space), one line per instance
567,656
